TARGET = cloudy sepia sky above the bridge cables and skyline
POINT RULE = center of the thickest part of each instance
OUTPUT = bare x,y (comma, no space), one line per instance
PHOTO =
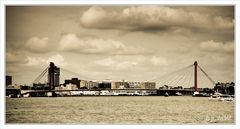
133,43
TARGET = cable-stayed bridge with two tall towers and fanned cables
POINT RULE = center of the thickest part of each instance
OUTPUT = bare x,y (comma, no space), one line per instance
185,80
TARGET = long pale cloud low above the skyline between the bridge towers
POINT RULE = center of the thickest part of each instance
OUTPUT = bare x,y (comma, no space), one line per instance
131,62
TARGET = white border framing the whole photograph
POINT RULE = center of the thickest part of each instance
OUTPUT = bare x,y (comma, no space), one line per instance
4,3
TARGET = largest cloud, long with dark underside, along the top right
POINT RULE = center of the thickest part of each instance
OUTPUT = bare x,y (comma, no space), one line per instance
152,18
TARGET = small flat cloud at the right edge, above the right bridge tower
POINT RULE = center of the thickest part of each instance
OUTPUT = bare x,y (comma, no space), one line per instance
217,46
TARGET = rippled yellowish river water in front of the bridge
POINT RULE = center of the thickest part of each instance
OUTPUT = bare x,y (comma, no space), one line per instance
119,110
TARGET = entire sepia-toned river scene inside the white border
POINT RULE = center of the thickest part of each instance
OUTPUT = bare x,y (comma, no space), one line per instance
120,64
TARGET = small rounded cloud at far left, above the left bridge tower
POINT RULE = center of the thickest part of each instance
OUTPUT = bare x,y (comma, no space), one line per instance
38,45
